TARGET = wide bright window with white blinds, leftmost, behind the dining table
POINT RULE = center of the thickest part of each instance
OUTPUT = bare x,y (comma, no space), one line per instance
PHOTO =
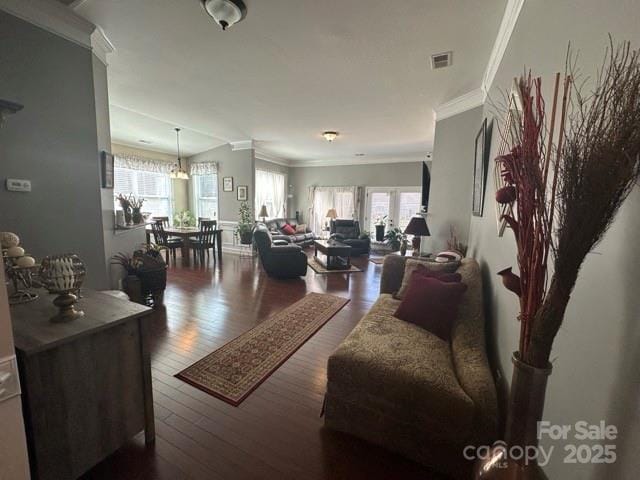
154,187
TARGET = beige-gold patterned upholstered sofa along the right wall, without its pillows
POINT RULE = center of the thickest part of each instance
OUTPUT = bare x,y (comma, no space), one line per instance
396,385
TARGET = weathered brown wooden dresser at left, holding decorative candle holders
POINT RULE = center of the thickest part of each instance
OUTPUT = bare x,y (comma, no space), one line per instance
86,384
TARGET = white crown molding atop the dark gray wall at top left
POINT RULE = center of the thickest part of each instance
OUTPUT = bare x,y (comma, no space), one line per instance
53,17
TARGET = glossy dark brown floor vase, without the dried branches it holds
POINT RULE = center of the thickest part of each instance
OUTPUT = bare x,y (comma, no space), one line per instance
526,404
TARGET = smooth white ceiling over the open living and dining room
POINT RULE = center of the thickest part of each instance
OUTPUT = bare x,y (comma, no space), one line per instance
290,70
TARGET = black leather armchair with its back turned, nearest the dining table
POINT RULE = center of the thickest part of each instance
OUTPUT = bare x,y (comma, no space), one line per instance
284,260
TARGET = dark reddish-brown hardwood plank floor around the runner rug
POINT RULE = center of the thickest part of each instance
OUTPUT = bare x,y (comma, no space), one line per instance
276,433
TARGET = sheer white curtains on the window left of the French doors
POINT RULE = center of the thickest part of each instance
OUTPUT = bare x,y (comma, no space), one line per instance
344,199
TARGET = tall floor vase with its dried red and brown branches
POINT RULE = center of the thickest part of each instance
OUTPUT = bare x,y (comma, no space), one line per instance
565,192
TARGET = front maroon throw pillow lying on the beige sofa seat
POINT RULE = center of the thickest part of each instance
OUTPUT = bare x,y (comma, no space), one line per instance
431,304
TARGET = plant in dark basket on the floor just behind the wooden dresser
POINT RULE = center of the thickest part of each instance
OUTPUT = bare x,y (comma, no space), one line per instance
146,277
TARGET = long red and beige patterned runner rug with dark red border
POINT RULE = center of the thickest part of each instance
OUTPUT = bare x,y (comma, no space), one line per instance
236,369
